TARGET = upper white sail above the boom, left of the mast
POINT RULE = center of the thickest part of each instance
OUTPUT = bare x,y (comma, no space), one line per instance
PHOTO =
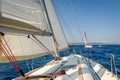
24,13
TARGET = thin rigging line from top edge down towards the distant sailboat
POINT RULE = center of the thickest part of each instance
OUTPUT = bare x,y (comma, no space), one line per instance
76,19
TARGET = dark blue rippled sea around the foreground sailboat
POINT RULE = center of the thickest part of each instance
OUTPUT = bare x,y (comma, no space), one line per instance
99,54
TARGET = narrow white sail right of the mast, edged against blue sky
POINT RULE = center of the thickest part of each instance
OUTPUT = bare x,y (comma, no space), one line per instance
58,33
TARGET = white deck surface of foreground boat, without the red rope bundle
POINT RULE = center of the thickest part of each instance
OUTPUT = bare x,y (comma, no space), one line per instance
70,65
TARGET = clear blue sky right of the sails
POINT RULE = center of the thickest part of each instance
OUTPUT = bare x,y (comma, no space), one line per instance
100,19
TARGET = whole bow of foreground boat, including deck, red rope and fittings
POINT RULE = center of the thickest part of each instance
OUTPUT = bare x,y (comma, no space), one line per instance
73,67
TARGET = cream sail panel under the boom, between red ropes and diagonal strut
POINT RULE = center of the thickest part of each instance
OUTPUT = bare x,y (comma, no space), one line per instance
23,47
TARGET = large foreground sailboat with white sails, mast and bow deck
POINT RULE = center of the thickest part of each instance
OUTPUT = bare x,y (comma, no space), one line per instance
31,28
